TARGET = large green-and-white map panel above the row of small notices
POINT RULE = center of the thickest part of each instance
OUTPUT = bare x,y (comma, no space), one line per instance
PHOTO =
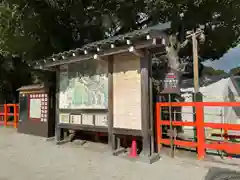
84,85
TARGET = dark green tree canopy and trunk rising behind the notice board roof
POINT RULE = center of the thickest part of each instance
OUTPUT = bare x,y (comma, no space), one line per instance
33,29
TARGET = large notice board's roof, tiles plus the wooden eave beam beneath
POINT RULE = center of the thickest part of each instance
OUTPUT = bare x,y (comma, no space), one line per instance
139,39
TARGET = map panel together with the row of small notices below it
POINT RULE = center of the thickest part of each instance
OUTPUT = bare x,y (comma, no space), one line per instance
83,95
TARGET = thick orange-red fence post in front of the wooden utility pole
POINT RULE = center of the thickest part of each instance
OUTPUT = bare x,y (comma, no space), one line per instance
200,130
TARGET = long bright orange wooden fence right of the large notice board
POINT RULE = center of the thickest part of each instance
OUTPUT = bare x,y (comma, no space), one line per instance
200,144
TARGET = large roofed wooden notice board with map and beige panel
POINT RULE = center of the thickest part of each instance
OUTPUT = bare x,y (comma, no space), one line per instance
105,86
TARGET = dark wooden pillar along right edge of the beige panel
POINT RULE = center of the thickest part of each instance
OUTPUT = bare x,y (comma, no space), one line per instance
144,63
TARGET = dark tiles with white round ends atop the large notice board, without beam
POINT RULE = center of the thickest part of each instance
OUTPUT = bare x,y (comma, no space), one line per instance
110,43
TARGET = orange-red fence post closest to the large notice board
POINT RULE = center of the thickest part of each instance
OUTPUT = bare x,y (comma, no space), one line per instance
159,128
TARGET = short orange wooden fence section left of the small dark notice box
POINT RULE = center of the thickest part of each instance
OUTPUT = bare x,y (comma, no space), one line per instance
5,113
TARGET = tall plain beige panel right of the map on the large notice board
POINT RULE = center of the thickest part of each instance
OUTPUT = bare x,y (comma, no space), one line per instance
127,92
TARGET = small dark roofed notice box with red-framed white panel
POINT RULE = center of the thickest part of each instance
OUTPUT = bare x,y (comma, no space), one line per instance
36,115
